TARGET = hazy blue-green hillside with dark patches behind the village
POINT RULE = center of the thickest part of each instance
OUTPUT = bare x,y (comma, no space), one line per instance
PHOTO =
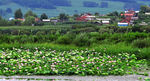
54,7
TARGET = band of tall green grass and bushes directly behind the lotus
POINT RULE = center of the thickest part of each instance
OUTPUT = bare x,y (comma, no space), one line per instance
105,43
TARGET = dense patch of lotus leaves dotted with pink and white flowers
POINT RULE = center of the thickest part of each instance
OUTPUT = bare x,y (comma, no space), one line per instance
74,62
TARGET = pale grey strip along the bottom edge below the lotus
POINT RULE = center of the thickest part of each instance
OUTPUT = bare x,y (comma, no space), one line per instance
73,78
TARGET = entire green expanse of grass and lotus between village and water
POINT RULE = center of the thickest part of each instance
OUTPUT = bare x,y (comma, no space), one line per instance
44,49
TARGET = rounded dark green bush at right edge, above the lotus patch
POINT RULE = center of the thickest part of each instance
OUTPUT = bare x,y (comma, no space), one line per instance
142,43
